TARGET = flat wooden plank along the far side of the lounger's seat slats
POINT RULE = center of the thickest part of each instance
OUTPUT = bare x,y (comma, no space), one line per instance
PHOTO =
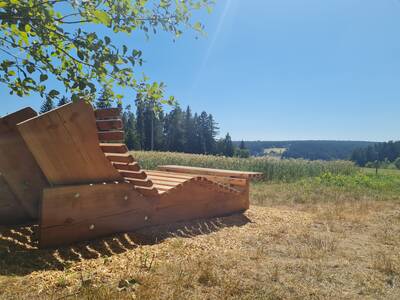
207,171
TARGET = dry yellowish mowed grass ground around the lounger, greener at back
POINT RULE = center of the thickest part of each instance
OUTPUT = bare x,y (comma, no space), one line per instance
325,235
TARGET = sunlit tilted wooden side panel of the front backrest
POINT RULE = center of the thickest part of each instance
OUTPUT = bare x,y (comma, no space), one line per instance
65,144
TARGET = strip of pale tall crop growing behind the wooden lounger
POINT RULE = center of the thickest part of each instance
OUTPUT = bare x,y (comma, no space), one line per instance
273,170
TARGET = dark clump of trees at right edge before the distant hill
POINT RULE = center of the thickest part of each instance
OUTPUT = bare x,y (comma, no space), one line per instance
377,154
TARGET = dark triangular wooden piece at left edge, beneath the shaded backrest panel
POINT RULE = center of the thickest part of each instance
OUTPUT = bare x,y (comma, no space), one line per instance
11,211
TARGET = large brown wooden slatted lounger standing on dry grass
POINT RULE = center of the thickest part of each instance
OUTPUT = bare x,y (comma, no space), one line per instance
69,171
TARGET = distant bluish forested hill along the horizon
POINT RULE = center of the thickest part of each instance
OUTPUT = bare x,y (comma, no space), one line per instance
312,150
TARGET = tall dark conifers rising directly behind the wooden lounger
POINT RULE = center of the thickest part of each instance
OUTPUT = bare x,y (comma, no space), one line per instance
150,128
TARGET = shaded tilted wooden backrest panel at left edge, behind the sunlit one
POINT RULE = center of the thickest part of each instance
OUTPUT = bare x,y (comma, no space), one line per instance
17,164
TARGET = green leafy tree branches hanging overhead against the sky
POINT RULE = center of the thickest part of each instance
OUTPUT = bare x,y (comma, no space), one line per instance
64,40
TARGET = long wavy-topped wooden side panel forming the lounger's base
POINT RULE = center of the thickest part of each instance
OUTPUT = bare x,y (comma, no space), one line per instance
76,213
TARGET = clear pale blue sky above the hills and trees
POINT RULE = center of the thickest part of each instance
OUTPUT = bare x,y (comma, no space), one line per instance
284,69
